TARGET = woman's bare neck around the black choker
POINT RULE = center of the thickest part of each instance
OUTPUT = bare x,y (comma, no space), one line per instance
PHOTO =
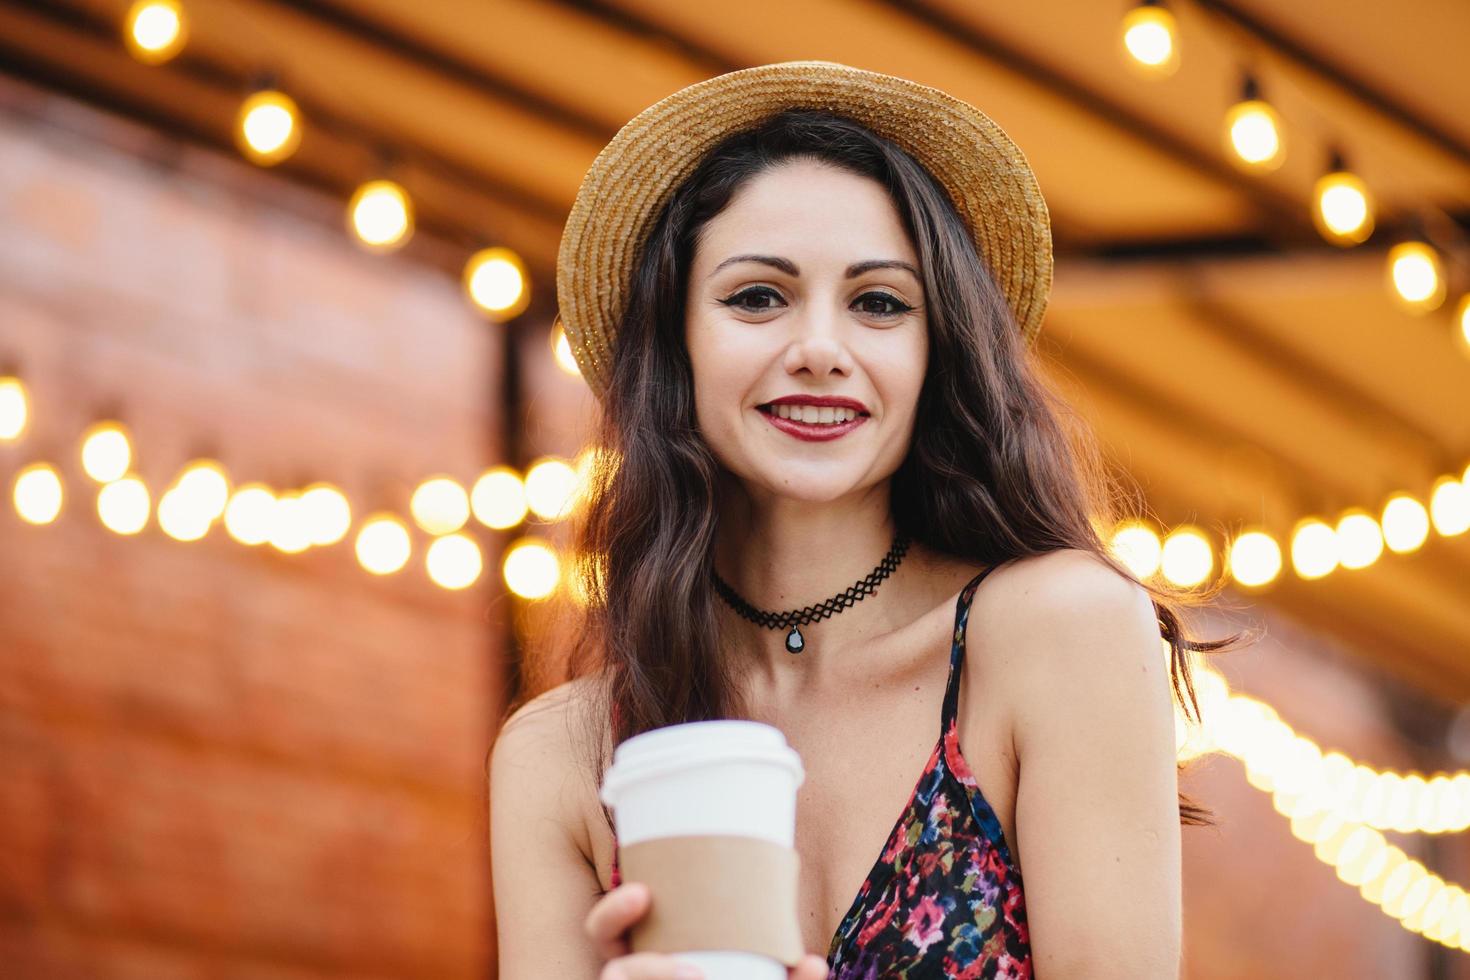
783,555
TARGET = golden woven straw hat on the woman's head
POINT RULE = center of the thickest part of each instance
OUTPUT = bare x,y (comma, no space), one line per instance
633,179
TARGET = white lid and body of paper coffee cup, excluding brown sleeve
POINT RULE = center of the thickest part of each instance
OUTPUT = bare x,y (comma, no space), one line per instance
709,778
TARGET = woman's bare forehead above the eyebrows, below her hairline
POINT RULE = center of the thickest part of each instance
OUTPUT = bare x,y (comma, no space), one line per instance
808,208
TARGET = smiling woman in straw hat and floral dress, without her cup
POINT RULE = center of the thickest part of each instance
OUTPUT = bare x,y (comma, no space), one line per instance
821,284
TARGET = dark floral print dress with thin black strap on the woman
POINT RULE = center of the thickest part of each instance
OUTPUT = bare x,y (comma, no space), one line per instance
944,898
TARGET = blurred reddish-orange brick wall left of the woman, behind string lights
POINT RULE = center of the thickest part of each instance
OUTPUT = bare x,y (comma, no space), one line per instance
221,762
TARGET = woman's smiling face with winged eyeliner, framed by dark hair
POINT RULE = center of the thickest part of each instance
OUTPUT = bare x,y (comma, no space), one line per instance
787,298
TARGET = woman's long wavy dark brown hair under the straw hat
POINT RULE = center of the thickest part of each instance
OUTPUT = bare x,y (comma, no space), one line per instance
994,471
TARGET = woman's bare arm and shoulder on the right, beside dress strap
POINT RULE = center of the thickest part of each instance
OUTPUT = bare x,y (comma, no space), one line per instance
1097,812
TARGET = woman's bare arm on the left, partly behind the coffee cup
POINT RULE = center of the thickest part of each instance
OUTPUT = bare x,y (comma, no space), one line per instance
543,884
